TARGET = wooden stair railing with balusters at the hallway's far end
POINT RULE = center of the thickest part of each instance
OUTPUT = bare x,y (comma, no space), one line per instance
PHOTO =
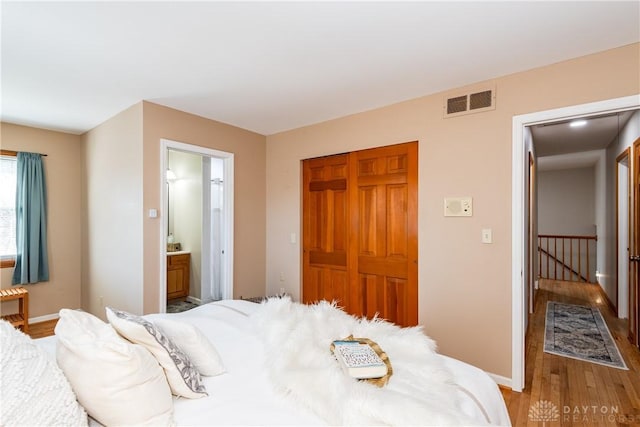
549,253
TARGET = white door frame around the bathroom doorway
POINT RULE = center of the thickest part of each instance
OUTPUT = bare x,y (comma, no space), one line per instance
227,211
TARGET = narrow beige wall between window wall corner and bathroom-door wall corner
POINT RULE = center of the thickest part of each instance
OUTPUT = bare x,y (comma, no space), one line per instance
112,214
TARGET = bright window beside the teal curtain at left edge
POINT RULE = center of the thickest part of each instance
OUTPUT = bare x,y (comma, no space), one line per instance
8,172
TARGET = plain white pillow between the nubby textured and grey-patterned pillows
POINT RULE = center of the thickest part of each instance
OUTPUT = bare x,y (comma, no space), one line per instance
117,382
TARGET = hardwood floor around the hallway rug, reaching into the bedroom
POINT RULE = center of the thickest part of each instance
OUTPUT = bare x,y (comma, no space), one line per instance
585,394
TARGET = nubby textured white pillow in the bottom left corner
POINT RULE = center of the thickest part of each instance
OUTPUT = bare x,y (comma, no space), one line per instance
33,388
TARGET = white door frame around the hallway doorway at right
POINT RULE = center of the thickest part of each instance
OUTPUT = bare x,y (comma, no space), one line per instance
519,160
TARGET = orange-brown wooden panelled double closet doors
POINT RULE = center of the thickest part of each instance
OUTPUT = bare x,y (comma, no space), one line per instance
360,244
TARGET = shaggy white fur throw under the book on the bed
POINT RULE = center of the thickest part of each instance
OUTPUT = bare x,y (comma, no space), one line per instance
297,338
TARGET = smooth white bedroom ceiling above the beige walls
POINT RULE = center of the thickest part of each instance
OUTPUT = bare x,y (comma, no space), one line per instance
274,66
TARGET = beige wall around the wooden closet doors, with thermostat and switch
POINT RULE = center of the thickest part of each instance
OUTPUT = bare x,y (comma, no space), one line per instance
464,285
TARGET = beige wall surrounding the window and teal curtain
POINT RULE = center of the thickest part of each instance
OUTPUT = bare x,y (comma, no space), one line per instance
63,175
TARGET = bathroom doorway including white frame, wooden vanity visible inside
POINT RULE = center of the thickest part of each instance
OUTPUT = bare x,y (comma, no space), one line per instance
197,230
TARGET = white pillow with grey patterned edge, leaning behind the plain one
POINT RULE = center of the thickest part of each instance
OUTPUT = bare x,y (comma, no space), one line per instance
183,377
